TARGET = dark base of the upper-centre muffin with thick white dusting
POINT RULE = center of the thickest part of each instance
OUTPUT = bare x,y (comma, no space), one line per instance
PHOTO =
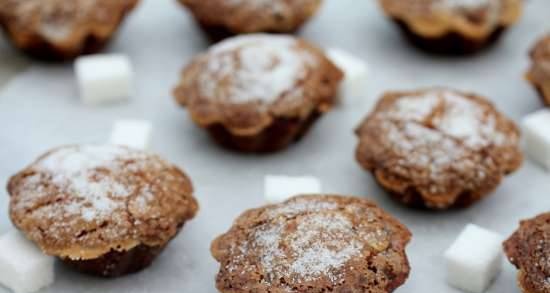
277,136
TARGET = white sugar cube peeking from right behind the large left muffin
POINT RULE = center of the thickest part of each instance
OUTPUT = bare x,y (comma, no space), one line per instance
132,133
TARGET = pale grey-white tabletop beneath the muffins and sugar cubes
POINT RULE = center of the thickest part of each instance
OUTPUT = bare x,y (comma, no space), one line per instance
40,109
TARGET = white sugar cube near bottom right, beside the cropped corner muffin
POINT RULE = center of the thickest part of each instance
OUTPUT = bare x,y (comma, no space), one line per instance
474,260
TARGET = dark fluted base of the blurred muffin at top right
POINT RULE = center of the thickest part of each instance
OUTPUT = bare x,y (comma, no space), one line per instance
450,44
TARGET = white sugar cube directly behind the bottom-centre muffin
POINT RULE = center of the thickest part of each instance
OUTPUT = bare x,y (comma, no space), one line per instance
281,188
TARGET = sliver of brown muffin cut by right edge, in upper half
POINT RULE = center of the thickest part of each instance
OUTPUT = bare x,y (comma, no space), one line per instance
539,74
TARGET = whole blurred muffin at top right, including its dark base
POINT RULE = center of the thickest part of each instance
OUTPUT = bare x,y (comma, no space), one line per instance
453,26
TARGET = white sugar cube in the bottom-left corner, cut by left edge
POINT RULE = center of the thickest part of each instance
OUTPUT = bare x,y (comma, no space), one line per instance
23,267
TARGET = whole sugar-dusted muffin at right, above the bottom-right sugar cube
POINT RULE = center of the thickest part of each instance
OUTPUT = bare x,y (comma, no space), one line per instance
438,148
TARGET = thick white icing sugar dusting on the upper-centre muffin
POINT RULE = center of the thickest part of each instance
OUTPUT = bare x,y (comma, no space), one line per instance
254,68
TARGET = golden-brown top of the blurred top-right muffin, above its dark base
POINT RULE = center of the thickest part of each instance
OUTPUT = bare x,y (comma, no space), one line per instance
476,19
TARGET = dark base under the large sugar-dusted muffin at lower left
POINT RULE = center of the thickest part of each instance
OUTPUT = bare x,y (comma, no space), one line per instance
117,263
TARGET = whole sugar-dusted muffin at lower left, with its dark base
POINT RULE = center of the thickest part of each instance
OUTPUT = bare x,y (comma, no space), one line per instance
104,210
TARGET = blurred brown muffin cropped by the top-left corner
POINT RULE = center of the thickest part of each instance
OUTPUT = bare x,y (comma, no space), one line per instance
59,29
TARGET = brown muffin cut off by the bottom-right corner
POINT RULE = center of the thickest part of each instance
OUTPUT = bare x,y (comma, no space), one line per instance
529,250
